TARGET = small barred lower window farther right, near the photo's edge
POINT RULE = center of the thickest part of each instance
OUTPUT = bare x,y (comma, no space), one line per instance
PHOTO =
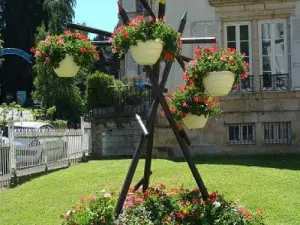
277,133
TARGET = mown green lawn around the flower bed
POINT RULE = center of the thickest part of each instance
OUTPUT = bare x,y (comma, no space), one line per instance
268,182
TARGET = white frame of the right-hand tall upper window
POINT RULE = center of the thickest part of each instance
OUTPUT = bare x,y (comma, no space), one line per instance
272,44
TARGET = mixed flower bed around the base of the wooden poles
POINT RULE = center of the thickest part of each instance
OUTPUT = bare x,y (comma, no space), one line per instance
159,206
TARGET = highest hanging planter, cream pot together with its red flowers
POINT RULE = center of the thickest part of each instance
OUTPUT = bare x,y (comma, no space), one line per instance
147,40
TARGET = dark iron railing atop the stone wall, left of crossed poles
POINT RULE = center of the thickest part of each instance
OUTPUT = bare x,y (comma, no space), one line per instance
127,101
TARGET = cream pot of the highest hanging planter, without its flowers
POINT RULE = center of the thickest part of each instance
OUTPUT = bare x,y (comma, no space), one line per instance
147,53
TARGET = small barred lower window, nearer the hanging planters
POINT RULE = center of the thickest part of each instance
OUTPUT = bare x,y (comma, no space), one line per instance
241,134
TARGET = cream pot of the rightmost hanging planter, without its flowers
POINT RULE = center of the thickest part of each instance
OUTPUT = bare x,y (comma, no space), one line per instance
219,83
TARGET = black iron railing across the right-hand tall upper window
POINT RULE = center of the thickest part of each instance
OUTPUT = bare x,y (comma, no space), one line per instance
275,82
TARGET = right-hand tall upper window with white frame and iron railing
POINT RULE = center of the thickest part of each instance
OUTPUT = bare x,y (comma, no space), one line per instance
273,55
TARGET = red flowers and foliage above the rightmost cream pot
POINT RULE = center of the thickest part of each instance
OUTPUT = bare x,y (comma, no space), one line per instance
213,59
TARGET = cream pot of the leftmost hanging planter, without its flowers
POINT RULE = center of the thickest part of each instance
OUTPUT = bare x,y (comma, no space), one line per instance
67,67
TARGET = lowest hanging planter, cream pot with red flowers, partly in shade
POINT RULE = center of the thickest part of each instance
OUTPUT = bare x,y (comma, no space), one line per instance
193,107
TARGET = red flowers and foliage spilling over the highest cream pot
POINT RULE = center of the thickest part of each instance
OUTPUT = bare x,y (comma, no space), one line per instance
143,30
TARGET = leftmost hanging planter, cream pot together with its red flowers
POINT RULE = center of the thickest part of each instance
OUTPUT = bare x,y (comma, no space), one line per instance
66,53
